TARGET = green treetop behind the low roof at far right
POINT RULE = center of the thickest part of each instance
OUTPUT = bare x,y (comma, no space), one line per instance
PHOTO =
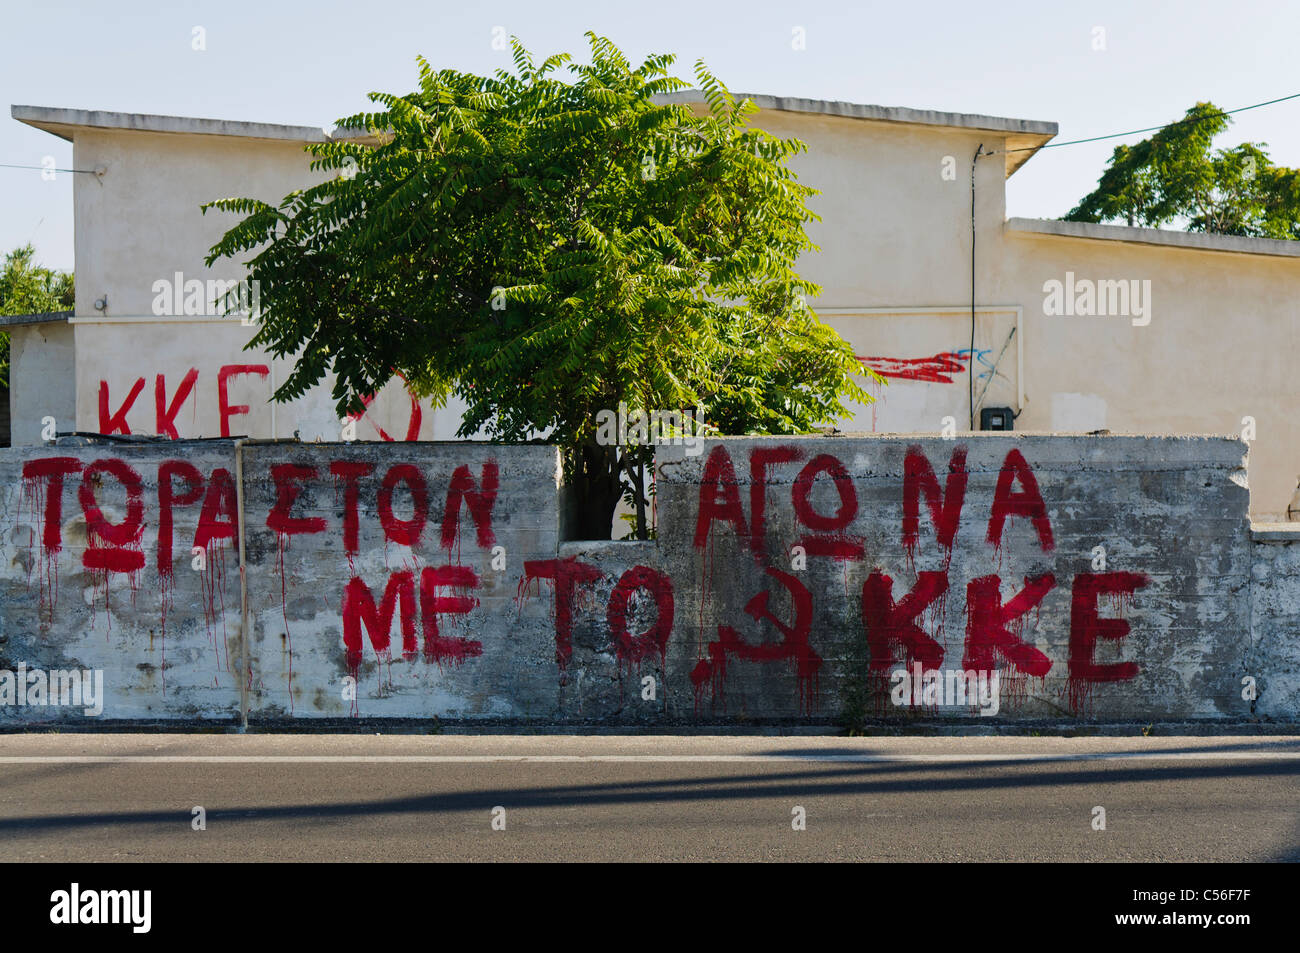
1177,176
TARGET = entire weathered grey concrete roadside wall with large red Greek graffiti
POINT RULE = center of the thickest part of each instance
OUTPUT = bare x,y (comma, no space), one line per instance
1103,578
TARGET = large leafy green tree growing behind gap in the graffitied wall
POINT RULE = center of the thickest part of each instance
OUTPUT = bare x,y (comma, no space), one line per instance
545,249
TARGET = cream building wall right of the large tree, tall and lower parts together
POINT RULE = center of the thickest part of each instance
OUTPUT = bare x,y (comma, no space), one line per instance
895,265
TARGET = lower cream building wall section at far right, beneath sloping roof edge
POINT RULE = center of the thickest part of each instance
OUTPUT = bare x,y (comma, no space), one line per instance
1216,349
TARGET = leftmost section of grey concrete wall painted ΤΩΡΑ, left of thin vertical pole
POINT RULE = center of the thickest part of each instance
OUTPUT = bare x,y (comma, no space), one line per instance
167,643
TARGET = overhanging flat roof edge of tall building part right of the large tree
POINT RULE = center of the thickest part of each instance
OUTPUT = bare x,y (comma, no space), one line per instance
1024,137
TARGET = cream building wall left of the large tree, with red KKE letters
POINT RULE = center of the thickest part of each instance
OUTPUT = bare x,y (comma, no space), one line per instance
140,224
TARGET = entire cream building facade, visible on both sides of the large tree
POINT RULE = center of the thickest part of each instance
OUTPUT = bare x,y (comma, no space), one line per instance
895,267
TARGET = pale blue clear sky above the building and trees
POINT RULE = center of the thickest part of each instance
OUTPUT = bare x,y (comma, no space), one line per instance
313,63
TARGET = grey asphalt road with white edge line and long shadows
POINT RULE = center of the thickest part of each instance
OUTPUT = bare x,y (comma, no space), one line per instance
354,798
